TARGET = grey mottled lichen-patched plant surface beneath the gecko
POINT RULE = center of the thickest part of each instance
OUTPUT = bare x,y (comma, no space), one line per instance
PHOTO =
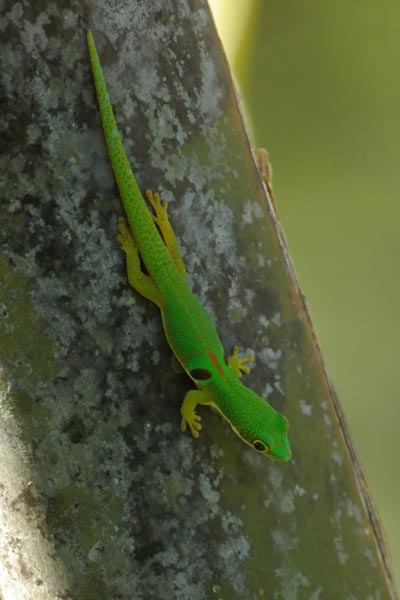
101,495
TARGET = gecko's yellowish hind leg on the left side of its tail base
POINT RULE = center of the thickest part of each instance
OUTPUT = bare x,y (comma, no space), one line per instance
141,282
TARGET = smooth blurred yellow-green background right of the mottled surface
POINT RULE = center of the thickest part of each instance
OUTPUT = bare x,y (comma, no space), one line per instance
320,85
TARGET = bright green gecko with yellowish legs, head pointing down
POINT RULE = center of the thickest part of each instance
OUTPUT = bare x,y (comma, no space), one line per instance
188,327
